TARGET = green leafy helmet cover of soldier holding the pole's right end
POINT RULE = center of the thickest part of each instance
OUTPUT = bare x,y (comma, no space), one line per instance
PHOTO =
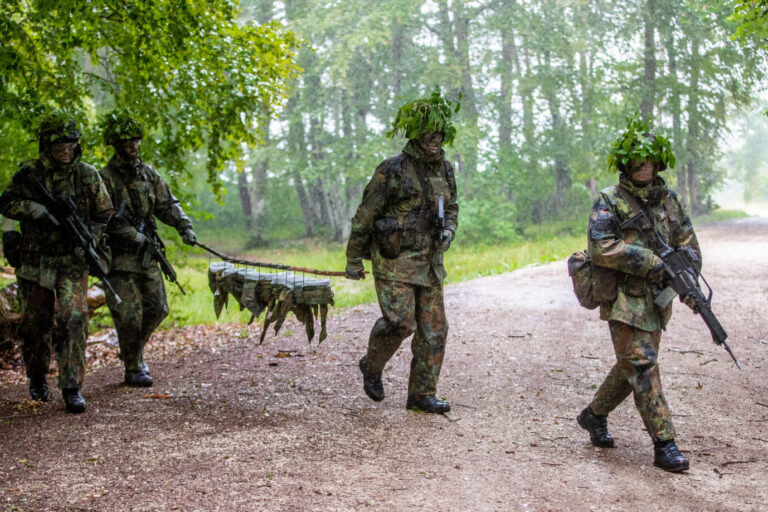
426,115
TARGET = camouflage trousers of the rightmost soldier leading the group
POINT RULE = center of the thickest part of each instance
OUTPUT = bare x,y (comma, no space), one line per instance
636,371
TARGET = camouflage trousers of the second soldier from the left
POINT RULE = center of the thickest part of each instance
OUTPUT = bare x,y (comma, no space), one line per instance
142,309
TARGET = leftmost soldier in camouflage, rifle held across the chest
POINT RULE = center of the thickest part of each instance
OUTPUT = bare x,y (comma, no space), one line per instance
53,274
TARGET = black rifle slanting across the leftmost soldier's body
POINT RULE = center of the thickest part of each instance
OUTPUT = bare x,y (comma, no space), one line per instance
62,212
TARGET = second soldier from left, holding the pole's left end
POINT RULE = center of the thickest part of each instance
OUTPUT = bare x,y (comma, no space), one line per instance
140,195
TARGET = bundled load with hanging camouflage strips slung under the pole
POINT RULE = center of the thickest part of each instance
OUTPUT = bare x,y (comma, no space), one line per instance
276,293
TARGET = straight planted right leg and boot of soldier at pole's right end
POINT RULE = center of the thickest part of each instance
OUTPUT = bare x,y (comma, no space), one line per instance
428,347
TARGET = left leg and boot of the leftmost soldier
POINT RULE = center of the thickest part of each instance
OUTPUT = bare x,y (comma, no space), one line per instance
37,306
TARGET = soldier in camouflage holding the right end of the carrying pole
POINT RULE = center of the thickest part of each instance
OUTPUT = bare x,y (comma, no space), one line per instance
400,207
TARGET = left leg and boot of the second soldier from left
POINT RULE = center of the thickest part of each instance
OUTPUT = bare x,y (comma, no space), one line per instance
128,323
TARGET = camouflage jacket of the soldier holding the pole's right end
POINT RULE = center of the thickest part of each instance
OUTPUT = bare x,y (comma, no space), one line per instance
405,187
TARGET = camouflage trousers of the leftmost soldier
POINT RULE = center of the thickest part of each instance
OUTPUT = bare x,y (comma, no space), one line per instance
57,317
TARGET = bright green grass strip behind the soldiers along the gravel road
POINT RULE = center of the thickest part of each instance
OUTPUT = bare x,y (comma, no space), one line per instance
462,263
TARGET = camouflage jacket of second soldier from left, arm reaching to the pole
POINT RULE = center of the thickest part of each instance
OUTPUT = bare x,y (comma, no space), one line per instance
139,195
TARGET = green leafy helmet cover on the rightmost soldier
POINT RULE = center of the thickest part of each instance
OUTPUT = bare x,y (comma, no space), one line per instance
639,143
